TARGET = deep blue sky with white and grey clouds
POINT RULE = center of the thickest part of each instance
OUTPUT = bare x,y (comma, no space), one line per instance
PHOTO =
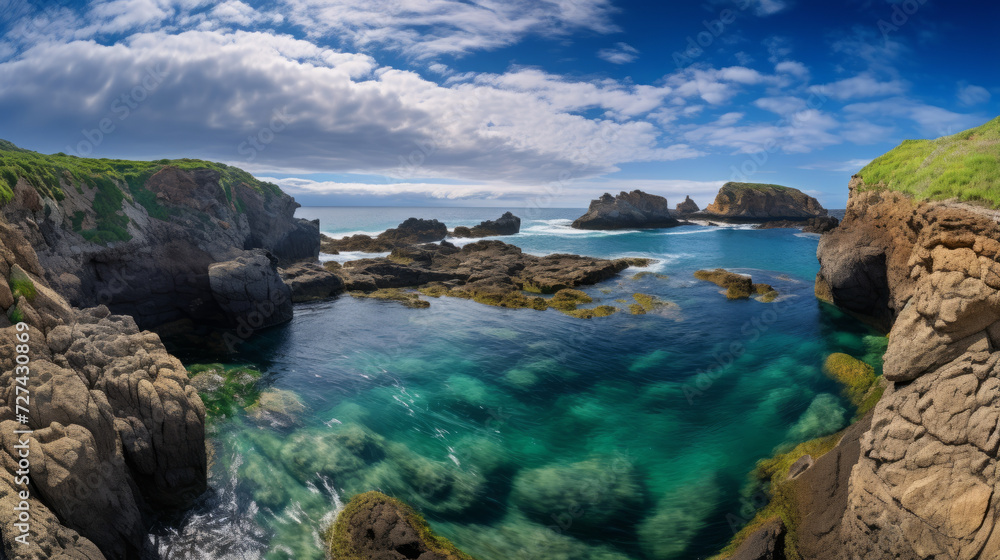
511,103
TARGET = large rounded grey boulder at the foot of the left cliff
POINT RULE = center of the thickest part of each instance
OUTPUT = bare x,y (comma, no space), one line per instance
250,291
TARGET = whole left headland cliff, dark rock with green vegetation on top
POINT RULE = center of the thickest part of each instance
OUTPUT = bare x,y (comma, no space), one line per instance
141,237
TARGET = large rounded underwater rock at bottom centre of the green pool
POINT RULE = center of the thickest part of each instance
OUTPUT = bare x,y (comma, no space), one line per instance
584,496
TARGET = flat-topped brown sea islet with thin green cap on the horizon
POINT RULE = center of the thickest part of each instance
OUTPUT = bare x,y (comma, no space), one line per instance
762,202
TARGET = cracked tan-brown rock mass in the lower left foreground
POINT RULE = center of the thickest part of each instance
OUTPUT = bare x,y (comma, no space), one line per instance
116,430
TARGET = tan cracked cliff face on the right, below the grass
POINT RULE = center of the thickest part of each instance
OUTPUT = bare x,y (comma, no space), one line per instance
924,484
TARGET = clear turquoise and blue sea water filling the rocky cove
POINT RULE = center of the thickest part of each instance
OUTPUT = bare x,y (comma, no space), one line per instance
531,434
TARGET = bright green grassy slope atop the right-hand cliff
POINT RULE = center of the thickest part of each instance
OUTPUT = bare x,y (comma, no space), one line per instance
965,166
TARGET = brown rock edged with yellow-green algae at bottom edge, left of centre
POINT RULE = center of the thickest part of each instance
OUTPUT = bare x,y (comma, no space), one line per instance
375,526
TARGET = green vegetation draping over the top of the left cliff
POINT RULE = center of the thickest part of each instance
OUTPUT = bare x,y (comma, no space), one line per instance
115,180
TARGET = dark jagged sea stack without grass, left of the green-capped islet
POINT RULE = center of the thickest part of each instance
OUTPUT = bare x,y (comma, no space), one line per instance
627,210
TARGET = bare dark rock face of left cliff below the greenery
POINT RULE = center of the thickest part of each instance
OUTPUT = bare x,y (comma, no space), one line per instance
160,274
